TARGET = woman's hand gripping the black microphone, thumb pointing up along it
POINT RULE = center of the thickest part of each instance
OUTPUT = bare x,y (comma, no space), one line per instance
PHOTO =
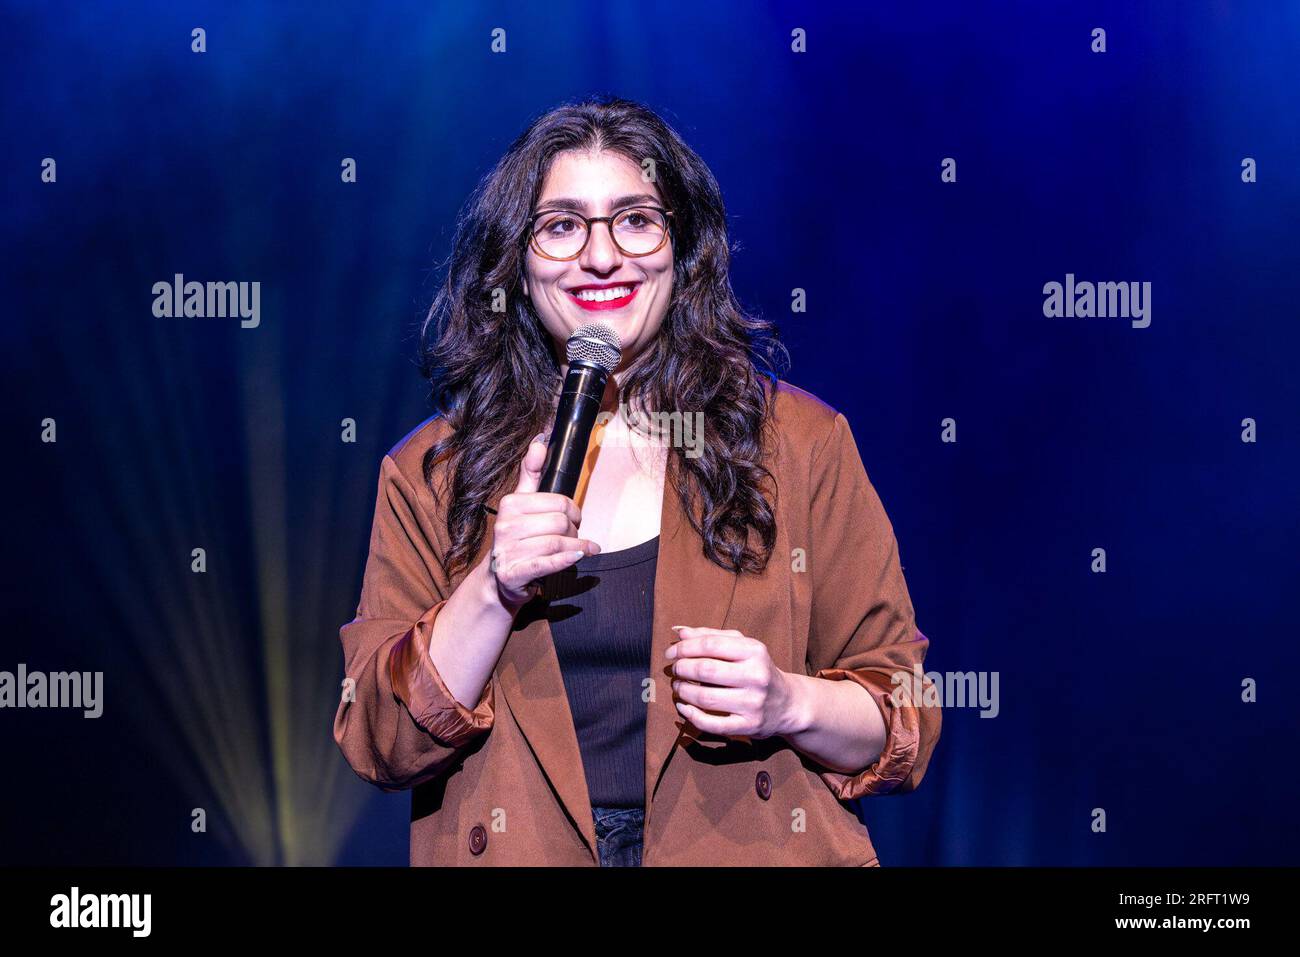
535,534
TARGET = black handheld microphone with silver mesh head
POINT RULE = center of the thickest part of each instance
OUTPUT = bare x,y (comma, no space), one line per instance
593,354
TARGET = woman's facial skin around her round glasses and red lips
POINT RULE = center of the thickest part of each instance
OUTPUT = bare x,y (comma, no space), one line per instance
601,184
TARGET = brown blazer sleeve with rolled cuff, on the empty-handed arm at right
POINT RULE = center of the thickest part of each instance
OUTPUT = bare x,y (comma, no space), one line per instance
863,625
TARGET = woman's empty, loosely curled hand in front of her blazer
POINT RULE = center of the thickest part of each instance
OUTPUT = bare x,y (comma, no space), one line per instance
727,685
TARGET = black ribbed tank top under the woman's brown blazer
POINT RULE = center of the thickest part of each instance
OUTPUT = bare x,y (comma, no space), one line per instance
601,613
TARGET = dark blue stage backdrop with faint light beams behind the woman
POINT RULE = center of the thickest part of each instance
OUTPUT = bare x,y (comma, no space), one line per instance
1120,691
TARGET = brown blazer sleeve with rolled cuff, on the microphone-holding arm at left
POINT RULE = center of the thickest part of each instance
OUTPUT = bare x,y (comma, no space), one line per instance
397,722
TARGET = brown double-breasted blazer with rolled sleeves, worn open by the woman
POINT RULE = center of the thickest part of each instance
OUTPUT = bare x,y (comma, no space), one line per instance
504,785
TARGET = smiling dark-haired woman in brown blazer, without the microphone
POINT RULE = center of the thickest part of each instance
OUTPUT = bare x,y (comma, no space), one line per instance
691,662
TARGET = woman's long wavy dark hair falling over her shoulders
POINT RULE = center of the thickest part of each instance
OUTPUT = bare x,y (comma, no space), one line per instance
495,375
